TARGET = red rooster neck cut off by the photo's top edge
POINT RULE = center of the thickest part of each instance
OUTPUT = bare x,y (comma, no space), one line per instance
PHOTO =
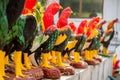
29,5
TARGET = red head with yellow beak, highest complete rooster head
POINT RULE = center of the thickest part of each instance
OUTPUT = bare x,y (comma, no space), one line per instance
53,8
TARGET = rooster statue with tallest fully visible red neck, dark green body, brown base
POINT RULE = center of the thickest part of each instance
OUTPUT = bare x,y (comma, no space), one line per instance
51,33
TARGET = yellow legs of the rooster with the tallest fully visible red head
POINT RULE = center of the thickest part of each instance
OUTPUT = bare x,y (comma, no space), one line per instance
44,62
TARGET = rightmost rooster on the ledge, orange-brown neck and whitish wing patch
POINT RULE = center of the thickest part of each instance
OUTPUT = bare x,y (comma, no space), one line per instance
108,35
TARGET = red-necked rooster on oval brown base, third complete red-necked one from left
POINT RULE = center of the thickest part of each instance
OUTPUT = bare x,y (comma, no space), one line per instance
80,40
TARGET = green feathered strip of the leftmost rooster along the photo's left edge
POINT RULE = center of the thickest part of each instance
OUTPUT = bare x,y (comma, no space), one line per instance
3,23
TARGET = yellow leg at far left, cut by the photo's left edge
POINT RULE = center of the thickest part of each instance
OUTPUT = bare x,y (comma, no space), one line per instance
2,65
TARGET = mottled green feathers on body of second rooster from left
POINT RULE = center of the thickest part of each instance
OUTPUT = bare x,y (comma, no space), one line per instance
17,31
